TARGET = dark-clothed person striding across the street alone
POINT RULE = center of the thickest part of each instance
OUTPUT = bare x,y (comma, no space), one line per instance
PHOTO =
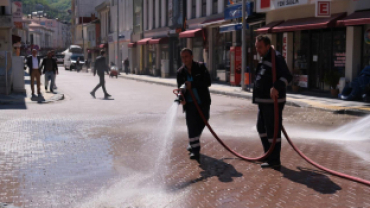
100,67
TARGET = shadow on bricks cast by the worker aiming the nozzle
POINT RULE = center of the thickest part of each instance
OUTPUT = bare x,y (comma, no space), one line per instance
212,167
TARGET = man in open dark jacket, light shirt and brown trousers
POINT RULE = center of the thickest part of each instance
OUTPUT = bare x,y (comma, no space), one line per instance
33,63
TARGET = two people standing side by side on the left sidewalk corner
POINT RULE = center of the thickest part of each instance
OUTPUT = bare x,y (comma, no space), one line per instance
38,66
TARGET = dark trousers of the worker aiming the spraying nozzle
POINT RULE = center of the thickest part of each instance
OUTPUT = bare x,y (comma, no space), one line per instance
195,124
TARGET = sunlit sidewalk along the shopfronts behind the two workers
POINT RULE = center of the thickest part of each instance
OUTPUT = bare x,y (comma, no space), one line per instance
334,105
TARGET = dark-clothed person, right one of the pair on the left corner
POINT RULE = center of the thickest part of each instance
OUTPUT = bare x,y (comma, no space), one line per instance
50,70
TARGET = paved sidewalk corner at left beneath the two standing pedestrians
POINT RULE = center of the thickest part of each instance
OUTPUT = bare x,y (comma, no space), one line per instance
21,98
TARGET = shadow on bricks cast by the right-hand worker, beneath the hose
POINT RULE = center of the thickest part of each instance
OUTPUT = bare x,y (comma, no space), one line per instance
312,179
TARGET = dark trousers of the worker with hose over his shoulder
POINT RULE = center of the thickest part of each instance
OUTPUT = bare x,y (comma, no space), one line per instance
265,128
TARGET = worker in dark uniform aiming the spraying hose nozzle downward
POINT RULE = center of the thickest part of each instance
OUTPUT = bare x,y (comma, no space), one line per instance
196,78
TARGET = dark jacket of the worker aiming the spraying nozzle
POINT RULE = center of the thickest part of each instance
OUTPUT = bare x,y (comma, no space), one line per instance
201,81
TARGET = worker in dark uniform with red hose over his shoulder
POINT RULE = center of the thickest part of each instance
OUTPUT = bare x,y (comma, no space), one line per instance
264,93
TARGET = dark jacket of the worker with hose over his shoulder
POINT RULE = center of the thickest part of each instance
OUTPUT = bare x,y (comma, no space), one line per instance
264,81
